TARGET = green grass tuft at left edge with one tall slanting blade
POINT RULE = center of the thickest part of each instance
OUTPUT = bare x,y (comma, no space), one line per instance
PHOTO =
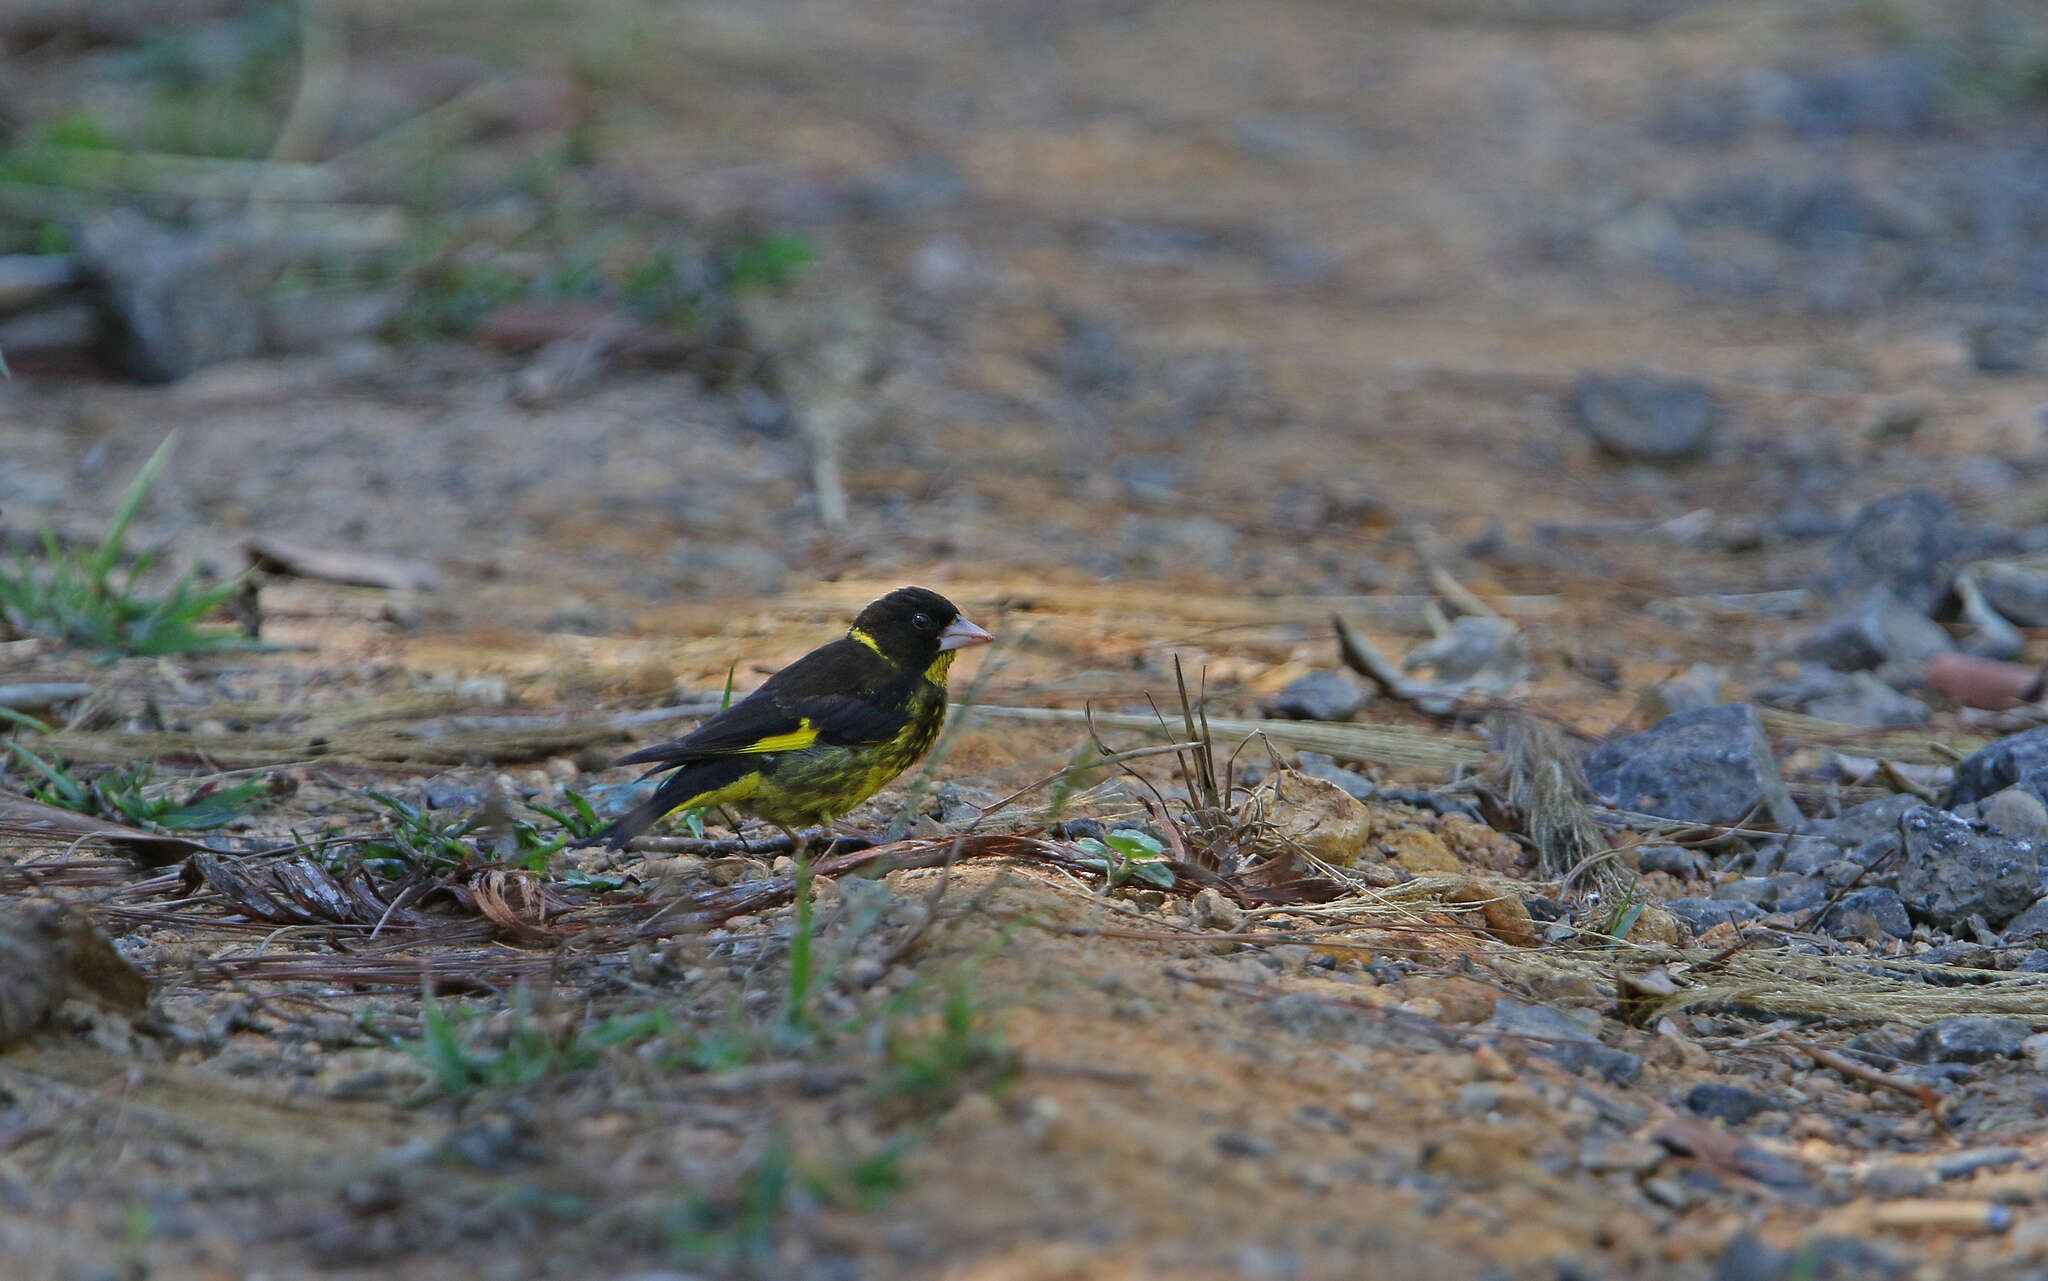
81,602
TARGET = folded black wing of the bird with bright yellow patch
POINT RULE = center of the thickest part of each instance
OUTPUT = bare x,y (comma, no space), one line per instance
820,700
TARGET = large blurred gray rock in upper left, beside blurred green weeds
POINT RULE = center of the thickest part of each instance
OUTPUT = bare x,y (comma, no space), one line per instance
169,302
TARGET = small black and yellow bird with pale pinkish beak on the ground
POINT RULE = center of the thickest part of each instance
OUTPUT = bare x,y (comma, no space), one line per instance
822,735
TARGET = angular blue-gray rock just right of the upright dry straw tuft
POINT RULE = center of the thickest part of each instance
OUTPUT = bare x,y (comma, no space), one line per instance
1709,766
